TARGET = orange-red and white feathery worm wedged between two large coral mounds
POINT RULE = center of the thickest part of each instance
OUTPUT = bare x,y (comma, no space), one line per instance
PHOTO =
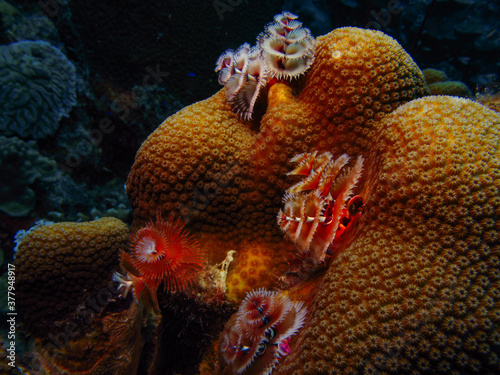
319,207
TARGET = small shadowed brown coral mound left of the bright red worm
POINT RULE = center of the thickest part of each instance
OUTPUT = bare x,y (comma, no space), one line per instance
59,265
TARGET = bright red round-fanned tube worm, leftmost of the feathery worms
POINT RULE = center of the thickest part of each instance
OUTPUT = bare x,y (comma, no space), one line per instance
161,252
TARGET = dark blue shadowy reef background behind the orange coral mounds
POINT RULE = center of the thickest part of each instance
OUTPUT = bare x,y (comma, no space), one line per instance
137,62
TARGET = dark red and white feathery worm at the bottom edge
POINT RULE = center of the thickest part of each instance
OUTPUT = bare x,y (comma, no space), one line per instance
259,334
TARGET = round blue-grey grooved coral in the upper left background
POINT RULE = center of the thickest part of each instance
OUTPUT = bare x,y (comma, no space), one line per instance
38,88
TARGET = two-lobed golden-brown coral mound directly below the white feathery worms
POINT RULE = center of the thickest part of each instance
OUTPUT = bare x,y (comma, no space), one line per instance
225,177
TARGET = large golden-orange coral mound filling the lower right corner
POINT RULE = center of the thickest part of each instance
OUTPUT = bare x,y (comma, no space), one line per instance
418,289
